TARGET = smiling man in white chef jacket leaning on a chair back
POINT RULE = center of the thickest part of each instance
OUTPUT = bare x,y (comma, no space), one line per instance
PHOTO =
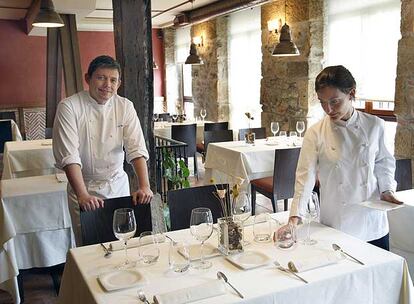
90,131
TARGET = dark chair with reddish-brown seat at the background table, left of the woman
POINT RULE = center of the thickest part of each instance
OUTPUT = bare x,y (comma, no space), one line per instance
282,184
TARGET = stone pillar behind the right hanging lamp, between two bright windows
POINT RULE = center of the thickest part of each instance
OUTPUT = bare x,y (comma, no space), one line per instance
287,82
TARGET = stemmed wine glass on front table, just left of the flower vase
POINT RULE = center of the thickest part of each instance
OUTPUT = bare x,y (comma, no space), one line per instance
201,227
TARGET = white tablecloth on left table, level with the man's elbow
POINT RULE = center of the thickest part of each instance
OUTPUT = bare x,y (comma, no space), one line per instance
28,158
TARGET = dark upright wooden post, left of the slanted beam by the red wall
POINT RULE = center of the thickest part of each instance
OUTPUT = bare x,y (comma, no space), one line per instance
54,75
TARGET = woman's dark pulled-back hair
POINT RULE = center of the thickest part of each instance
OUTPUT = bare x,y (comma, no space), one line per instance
335,76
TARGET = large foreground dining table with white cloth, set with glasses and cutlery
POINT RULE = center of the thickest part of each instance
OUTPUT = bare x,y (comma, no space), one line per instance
384,277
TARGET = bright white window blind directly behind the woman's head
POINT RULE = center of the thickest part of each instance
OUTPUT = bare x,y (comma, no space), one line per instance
363,35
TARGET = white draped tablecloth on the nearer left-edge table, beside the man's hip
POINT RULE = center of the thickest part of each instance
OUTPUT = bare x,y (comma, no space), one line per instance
35,227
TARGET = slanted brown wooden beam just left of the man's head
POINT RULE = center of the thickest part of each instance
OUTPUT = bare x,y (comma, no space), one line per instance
70,55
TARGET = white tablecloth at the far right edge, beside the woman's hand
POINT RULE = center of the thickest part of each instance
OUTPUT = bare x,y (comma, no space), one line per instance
402,227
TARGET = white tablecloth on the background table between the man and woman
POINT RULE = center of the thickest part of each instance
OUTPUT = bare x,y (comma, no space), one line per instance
227,161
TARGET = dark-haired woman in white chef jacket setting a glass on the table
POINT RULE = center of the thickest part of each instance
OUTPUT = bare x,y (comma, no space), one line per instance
347,151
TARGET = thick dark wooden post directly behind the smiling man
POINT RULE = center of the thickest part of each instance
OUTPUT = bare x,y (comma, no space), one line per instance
133,47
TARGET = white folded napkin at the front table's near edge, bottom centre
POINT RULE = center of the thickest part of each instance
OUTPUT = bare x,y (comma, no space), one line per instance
191,294
